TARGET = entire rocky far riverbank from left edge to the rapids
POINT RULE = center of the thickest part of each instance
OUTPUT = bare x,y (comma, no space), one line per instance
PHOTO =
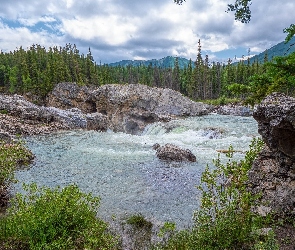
121,108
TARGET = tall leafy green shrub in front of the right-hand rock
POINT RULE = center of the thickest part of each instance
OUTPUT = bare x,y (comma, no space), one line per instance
225,219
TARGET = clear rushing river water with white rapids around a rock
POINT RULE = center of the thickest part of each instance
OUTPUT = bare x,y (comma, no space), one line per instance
123,170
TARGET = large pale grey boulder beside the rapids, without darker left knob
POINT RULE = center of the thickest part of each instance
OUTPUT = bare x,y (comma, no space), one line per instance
131,107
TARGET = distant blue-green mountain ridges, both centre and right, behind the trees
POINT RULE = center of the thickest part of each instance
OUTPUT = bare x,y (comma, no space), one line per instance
281,49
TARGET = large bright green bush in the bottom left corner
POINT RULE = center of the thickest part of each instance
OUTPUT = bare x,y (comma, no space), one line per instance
55,219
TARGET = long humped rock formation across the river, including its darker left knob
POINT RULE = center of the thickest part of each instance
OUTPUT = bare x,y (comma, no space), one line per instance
128,108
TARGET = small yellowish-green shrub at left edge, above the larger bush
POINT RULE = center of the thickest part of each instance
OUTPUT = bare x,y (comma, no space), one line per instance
12,155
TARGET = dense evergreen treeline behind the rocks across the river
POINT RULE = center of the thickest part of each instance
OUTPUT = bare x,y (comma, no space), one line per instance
37,70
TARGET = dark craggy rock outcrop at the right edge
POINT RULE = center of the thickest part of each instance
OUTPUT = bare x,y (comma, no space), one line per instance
273,173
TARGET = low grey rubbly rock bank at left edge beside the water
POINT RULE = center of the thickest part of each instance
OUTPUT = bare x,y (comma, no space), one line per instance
19,116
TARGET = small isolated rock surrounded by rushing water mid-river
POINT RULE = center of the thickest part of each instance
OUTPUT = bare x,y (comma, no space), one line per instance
170,152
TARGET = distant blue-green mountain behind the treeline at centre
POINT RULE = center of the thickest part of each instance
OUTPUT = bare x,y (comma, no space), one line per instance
166,62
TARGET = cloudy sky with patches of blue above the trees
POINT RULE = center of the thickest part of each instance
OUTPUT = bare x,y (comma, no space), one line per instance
118,30
